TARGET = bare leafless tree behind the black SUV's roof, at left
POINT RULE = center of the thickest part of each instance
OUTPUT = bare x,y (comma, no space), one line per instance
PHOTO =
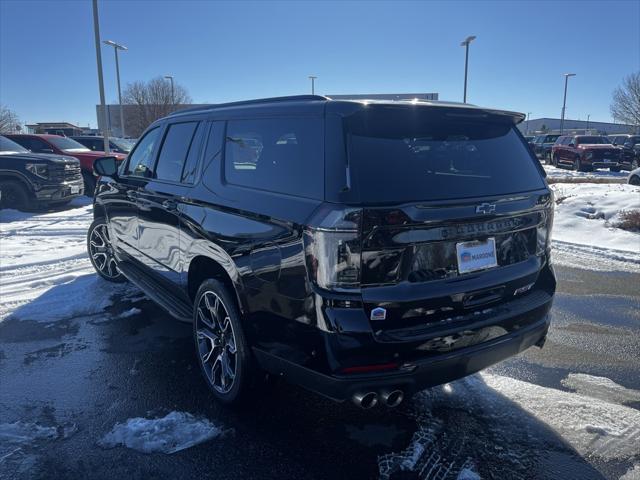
153,100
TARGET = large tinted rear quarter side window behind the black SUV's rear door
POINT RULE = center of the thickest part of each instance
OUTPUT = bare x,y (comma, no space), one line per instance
283,155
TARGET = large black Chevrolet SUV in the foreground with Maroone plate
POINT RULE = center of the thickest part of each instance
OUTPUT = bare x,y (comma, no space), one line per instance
363,250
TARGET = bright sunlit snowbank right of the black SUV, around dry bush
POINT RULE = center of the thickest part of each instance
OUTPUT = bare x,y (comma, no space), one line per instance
585,215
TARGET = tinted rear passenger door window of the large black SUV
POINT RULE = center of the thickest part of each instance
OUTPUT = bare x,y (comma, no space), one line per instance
174,151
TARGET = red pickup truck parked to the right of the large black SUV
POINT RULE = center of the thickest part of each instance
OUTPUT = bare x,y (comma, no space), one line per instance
585,153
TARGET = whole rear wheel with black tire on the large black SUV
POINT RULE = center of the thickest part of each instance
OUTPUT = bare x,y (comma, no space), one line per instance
210,322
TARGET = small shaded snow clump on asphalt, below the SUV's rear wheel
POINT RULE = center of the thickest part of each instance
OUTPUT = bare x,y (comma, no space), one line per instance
172,433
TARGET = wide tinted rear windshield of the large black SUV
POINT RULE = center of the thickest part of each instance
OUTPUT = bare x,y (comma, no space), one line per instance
402,155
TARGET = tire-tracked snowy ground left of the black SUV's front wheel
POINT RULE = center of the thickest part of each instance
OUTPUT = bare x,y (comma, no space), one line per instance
45,273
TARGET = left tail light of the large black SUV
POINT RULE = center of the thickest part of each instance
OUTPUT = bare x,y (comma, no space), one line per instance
332,249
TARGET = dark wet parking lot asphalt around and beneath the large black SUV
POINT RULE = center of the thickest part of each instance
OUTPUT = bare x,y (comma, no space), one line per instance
545,414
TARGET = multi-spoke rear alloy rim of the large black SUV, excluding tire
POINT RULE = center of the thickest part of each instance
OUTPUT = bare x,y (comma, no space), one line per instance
216,341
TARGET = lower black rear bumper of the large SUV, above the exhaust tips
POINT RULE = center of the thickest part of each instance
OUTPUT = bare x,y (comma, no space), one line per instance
414,376
